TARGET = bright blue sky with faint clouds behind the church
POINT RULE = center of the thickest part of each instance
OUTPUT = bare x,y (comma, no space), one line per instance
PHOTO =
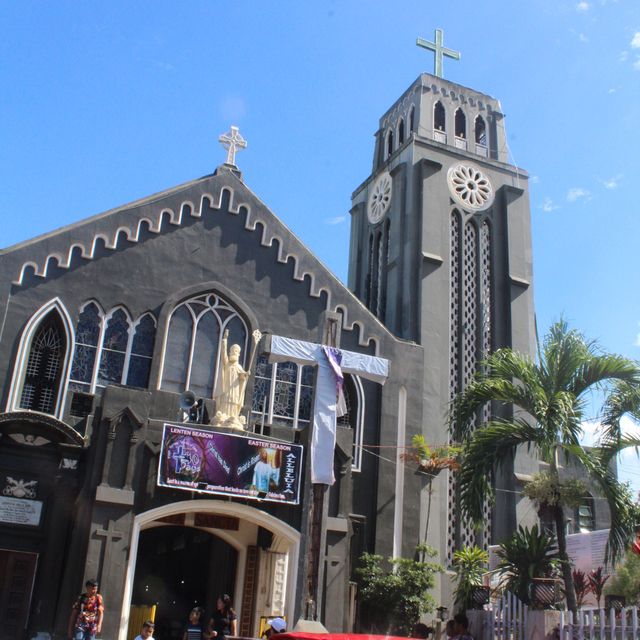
103,103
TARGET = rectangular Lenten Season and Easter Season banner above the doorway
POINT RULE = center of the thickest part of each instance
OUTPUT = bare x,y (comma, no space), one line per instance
222,463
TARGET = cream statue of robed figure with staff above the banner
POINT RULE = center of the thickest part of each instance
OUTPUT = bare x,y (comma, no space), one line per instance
232,384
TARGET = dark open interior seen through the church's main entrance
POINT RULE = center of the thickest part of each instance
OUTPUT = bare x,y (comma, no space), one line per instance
179,568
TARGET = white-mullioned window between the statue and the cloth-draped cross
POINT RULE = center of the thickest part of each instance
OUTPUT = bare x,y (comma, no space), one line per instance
282,392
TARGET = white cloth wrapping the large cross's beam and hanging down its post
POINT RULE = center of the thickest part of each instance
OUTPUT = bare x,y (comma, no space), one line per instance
323,441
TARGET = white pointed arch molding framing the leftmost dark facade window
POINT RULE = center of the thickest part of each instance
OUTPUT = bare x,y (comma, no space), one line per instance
17,379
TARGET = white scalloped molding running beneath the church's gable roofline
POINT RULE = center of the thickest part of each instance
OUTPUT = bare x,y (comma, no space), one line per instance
254,222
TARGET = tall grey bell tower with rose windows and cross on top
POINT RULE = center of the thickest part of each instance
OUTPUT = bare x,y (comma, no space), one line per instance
441,253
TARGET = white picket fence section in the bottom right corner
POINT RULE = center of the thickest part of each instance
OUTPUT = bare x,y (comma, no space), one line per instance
599,624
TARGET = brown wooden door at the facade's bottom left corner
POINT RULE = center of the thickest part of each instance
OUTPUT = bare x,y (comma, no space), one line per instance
17,573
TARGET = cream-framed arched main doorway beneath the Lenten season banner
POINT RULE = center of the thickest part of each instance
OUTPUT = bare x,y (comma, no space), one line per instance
253,543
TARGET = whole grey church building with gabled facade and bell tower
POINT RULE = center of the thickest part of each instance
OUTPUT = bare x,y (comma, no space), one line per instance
121,457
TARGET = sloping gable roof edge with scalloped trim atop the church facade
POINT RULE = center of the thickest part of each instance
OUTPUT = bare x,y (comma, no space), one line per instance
41,255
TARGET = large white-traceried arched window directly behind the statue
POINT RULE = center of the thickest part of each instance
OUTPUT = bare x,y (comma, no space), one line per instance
194,338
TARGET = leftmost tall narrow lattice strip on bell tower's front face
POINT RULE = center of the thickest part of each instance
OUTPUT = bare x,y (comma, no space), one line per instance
454,370
